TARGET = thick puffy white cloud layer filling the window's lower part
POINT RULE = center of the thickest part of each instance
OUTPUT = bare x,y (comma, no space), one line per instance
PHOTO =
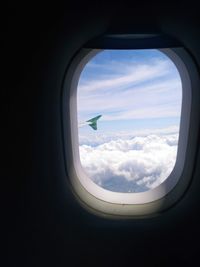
130,164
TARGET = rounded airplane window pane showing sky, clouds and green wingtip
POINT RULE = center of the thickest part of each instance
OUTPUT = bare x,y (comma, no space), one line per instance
129,109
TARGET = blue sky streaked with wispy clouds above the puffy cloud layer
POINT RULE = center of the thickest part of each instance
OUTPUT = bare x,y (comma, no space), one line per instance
132,89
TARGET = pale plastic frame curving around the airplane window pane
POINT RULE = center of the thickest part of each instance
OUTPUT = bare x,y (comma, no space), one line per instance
124,205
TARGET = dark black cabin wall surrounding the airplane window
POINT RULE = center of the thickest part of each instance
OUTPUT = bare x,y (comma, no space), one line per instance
44,224
